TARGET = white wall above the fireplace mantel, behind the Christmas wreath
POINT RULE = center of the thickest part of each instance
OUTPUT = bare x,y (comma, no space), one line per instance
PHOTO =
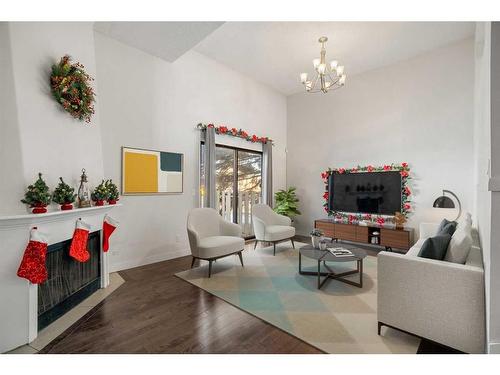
51,141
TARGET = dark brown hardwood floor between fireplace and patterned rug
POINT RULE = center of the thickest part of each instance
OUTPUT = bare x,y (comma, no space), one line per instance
156,312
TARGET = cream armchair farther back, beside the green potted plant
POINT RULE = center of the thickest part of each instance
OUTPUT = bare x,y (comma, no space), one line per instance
270,226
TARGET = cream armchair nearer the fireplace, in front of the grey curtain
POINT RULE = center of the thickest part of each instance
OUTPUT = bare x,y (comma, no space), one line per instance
211,237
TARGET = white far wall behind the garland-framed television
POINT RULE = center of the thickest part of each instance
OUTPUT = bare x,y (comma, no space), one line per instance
418,111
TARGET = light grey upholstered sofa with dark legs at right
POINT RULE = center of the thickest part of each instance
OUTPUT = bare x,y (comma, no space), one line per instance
440,300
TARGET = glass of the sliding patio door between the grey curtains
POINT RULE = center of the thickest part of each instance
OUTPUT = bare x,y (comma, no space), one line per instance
238,184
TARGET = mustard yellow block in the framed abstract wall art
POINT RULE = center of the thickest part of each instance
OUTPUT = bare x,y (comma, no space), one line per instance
141,173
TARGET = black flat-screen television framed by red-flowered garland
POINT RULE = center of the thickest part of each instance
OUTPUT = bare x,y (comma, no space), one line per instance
368,193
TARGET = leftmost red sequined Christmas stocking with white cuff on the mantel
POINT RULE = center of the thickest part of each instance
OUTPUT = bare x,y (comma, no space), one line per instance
33,266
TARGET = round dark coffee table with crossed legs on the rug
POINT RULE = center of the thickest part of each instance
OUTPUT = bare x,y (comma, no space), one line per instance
325,256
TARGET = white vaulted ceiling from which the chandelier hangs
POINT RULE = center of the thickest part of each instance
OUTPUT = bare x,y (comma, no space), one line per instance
274,53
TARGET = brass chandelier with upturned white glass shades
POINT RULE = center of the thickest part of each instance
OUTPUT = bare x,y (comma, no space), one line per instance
328,76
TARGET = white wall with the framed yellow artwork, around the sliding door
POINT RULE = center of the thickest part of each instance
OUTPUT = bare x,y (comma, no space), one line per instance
147,102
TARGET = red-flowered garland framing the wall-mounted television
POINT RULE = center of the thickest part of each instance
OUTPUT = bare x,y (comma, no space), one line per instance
346,217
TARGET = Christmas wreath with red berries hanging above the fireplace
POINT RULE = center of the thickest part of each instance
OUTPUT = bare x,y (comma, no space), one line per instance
70,86
